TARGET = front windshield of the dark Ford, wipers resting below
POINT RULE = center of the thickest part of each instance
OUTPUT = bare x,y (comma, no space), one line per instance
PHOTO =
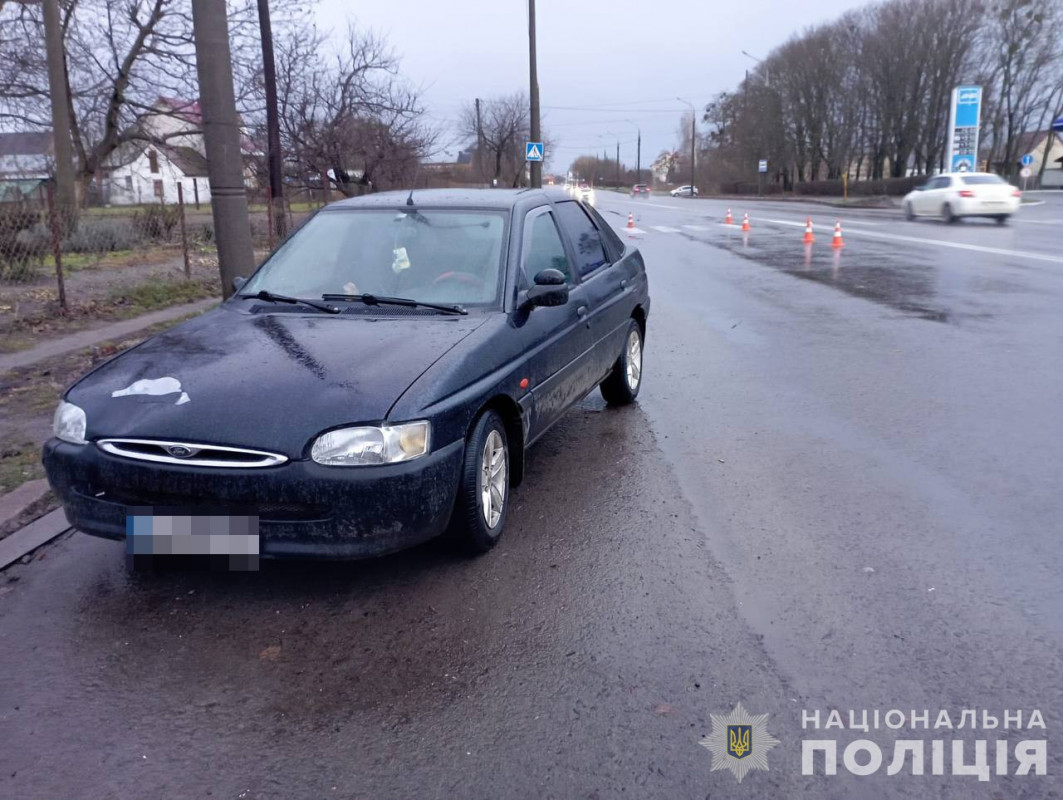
430,256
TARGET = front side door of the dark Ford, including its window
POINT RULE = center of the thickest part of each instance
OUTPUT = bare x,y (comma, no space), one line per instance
558,339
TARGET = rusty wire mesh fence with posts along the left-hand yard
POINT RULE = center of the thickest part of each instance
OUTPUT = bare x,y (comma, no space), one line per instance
40,237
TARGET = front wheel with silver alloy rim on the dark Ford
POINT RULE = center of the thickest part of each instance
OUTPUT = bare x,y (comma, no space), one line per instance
480,514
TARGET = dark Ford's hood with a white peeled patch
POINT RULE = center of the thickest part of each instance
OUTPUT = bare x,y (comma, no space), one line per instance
269,382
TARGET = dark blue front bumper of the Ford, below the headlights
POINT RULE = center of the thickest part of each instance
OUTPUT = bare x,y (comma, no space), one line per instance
305,508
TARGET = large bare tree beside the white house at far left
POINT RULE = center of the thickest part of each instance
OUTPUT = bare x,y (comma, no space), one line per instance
122,56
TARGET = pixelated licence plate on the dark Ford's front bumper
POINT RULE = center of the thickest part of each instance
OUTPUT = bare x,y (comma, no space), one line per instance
155,533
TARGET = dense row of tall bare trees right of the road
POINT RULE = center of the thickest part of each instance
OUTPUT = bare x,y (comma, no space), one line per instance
869,94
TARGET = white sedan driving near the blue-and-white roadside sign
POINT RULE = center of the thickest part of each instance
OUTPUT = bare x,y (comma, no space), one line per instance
964,195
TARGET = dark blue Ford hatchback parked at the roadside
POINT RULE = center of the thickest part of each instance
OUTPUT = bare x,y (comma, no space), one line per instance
374,385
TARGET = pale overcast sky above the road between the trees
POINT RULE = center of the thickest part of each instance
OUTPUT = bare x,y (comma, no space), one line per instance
601,62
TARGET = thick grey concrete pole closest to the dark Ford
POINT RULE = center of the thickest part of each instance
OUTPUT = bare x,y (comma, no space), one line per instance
222,134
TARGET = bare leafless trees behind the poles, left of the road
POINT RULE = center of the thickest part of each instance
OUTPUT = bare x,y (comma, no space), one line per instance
346,113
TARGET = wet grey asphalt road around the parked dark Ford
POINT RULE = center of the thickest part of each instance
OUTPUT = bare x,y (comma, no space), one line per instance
840,490
